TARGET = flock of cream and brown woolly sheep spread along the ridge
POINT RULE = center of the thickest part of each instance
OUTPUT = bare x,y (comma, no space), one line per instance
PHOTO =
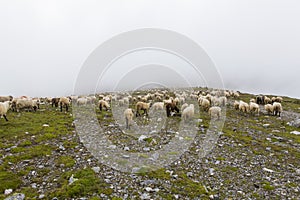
179,103
